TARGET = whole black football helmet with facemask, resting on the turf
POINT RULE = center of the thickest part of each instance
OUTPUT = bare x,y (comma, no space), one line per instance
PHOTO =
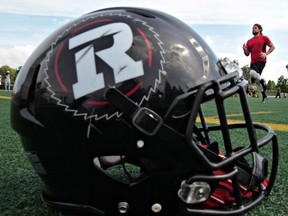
110,111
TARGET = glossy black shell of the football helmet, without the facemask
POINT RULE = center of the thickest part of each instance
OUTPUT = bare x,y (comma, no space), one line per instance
64,120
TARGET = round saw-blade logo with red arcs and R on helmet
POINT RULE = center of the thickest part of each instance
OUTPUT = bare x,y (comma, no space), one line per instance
99,52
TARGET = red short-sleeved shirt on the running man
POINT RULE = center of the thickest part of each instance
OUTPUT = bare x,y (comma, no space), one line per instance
256,45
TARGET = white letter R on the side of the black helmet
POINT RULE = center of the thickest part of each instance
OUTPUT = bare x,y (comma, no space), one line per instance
123,66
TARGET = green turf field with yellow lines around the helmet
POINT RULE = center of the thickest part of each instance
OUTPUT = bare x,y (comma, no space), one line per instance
20,187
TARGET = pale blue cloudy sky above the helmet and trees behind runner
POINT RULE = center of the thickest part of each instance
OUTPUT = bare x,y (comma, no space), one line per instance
224,24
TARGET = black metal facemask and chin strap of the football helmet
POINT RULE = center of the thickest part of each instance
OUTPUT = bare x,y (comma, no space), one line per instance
241,165
